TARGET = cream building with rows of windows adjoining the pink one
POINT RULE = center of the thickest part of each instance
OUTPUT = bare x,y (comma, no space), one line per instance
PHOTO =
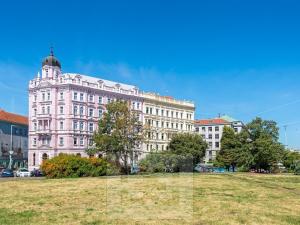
163,117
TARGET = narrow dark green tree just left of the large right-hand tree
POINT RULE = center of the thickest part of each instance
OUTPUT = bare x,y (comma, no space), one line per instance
229,154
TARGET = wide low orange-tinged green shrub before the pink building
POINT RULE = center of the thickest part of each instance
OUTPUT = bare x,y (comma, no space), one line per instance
67,165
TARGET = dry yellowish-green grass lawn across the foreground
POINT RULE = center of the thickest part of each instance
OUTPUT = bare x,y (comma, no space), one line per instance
154,199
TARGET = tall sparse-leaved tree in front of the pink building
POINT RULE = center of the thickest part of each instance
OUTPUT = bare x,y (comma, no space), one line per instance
119,134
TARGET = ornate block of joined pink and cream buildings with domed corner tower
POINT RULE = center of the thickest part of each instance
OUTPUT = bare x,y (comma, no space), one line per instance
64,110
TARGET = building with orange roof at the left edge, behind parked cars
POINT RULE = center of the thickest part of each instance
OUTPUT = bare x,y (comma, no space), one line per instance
13,135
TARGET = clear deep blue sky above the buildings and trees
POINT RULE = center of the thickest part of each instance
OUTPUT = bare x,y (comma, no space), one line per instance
240,58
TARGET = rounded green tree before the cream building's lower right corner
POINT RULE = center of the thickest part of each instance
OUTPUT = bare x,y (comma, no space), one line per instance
186,144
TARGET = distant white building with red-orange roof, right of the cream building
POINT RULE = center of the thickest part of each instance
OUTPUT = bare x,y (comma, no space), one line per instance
211,131
